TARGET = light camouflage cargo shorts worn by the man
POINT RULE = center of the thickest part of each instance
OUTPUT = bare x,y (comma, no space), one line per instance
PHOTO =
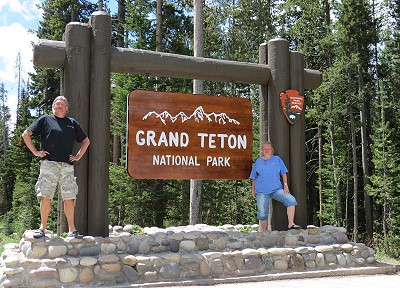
54,173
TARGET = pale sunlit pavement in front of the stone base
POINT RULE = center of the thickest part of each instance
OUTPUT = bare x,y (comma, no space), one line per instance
382,276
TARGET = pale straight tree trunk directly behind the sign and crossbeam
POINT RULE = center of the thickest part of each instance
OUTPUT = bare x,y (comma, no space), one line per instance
198,88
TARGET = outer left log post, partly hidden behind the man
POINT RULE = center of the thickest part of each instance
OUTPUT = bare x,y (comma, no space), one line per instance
76,90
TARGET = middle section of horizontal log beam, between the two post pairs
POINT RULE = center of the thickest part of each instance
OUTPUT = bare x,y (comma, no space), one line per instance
125,60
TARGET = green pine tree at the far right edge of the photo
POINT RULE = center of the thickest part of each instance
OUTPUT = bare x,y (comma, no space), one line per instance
384,186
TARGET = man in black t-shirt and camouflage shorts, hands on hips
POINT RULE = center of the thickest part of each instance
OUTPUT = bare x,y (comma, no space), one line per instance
57,133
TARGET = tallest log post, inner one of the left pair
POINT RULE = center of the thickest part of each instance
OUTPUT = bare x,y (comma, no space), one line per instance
99,125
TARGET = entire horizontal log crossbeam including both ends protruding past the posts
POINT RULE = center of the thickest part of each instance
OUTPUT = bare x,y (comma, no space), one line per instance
51,54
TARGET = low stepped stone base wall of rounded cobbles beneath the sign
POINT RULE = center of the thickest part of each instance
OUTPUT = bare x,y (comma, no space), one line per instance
176,253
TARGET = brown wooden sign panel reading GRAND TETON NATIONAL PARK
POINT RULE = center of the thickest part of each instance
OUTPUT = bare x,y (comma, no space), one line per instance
186,136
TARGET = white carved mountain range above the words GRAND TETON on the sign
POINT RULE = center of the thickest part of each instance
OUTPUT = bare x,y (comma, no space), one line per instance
198,115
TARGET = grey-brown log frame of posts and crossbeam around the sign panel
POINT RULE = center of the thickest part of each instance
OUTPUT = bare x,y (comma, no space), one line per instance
87,53
